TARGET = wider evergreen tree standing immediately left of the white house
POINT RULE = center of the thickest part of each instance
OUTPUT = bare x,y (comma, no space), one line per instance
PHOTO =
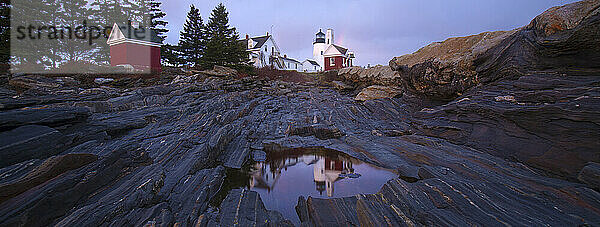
222,47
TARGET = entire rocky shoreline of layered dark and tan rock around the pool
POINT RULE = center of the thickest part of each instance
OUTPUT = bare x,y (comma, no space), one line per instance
502,132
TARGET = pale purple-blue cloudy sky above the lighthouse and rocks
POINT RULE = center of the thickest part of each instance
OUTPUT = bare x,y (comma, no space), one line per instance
376,30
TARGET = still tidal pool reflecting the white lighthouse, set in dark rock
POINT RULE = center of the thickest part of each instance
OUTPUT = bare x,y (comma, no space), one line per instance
321,173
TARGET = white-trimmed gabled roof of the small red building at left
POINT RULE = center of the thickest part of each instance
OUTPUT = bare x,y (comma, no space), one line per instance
121,33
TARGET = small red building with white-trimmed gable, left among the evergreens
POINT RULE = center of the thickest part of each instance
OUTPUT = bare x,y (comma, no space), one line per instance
134,47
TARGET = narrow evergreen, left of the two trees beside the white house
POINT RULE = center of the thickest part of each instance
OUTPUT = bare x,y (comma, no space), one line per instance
192,38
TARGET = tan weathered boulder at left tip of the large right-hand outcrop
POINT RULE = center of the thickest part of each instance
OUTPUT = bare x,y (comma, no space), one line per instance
445,70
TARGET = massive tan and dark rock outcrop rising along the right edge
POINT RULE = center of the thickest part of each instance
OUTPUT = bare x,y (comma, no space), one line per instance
531,96
